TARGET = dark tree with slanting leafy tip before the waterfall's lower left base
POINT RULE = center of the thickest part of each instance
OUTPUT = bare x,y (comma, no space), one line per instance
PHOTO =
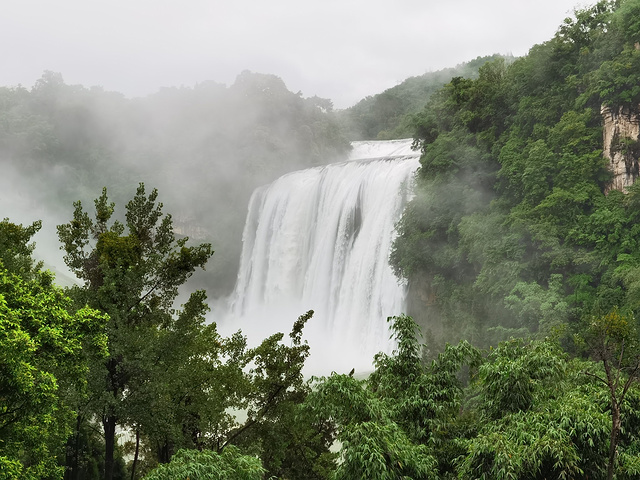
288,439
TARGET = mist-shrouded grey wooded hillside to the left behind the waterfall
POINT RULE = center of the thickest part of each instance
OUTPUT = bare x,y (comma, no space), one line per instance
206,147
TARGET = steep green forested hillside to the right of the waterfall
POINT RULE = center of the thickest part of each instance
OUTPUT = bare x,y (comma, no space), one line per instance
511,231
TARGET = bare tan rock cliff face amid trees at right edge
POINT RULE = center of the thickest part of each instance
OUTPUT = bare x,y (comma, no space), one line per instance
621,132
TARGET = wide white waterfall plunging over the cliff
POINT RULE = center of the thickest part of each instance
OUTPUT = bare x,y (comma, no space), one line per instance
320,239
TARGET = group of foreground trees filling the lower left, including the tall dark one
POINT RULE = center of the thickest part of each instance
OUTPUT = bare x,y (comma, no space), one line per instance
114,353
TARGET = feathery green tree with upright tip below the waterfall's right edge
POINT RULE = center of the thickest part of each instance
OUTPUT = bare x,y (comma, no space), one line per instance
400,422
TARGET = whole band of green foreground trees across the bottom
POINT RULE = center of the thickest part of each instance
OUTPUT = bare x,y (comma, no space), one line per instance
70,374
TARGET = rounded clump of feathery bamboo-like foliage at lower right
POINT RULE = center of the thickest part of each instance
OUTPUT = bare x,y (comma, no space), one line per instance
537,418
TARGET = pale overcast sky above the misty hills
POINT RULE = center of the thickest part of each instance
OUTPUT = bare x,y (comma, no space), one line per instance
338,49
